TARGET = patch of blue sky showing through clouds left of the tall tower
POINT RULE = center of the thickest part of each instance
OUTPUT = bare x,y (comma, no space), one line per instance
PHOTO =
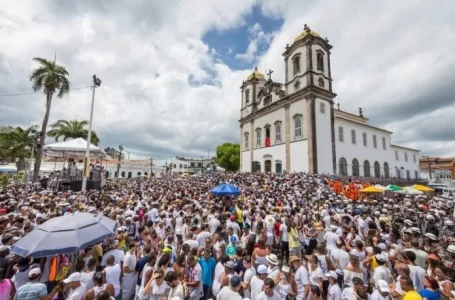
228,43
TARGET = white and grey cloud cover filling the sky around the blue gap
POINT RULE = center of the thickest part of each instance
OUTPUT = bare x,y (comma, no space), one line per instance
166,92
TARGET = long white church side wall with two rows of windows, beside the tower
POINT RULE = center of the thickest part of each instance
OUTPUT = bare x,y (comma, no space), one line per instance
362,153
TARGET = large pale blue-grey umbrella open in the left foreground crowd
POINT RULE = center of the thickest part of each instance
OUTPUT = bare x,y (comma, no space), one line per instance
65,234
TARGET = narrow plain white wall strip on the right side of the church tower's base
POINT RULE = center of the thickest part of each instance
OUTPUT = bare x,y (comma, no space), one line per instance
324,137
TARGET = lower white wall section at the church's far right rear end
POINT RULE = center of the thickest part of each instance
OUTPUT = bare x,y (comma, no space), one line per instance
411,165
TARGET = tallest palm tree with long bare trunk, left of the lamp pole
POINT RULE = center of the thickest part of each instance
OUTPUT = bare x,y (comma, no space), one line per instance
51,79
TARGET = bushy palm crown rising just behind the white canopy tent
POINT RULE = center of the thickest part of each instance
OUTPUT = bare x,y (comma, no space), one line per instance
72,130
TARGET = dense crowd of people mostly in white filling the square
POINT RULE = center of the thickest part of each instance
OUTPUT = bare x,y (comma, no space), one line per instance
287,236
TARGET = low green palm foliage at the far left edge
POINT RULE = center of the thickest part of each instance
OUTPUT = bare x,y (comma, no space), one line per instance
17,143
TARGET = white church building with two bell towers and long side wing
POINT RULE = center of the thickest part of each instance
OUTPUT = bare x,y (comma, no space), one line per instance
295,127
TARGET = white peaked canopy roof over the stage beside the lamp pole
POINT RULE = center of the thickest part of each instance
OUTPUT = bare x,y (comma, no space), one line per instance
76,147
